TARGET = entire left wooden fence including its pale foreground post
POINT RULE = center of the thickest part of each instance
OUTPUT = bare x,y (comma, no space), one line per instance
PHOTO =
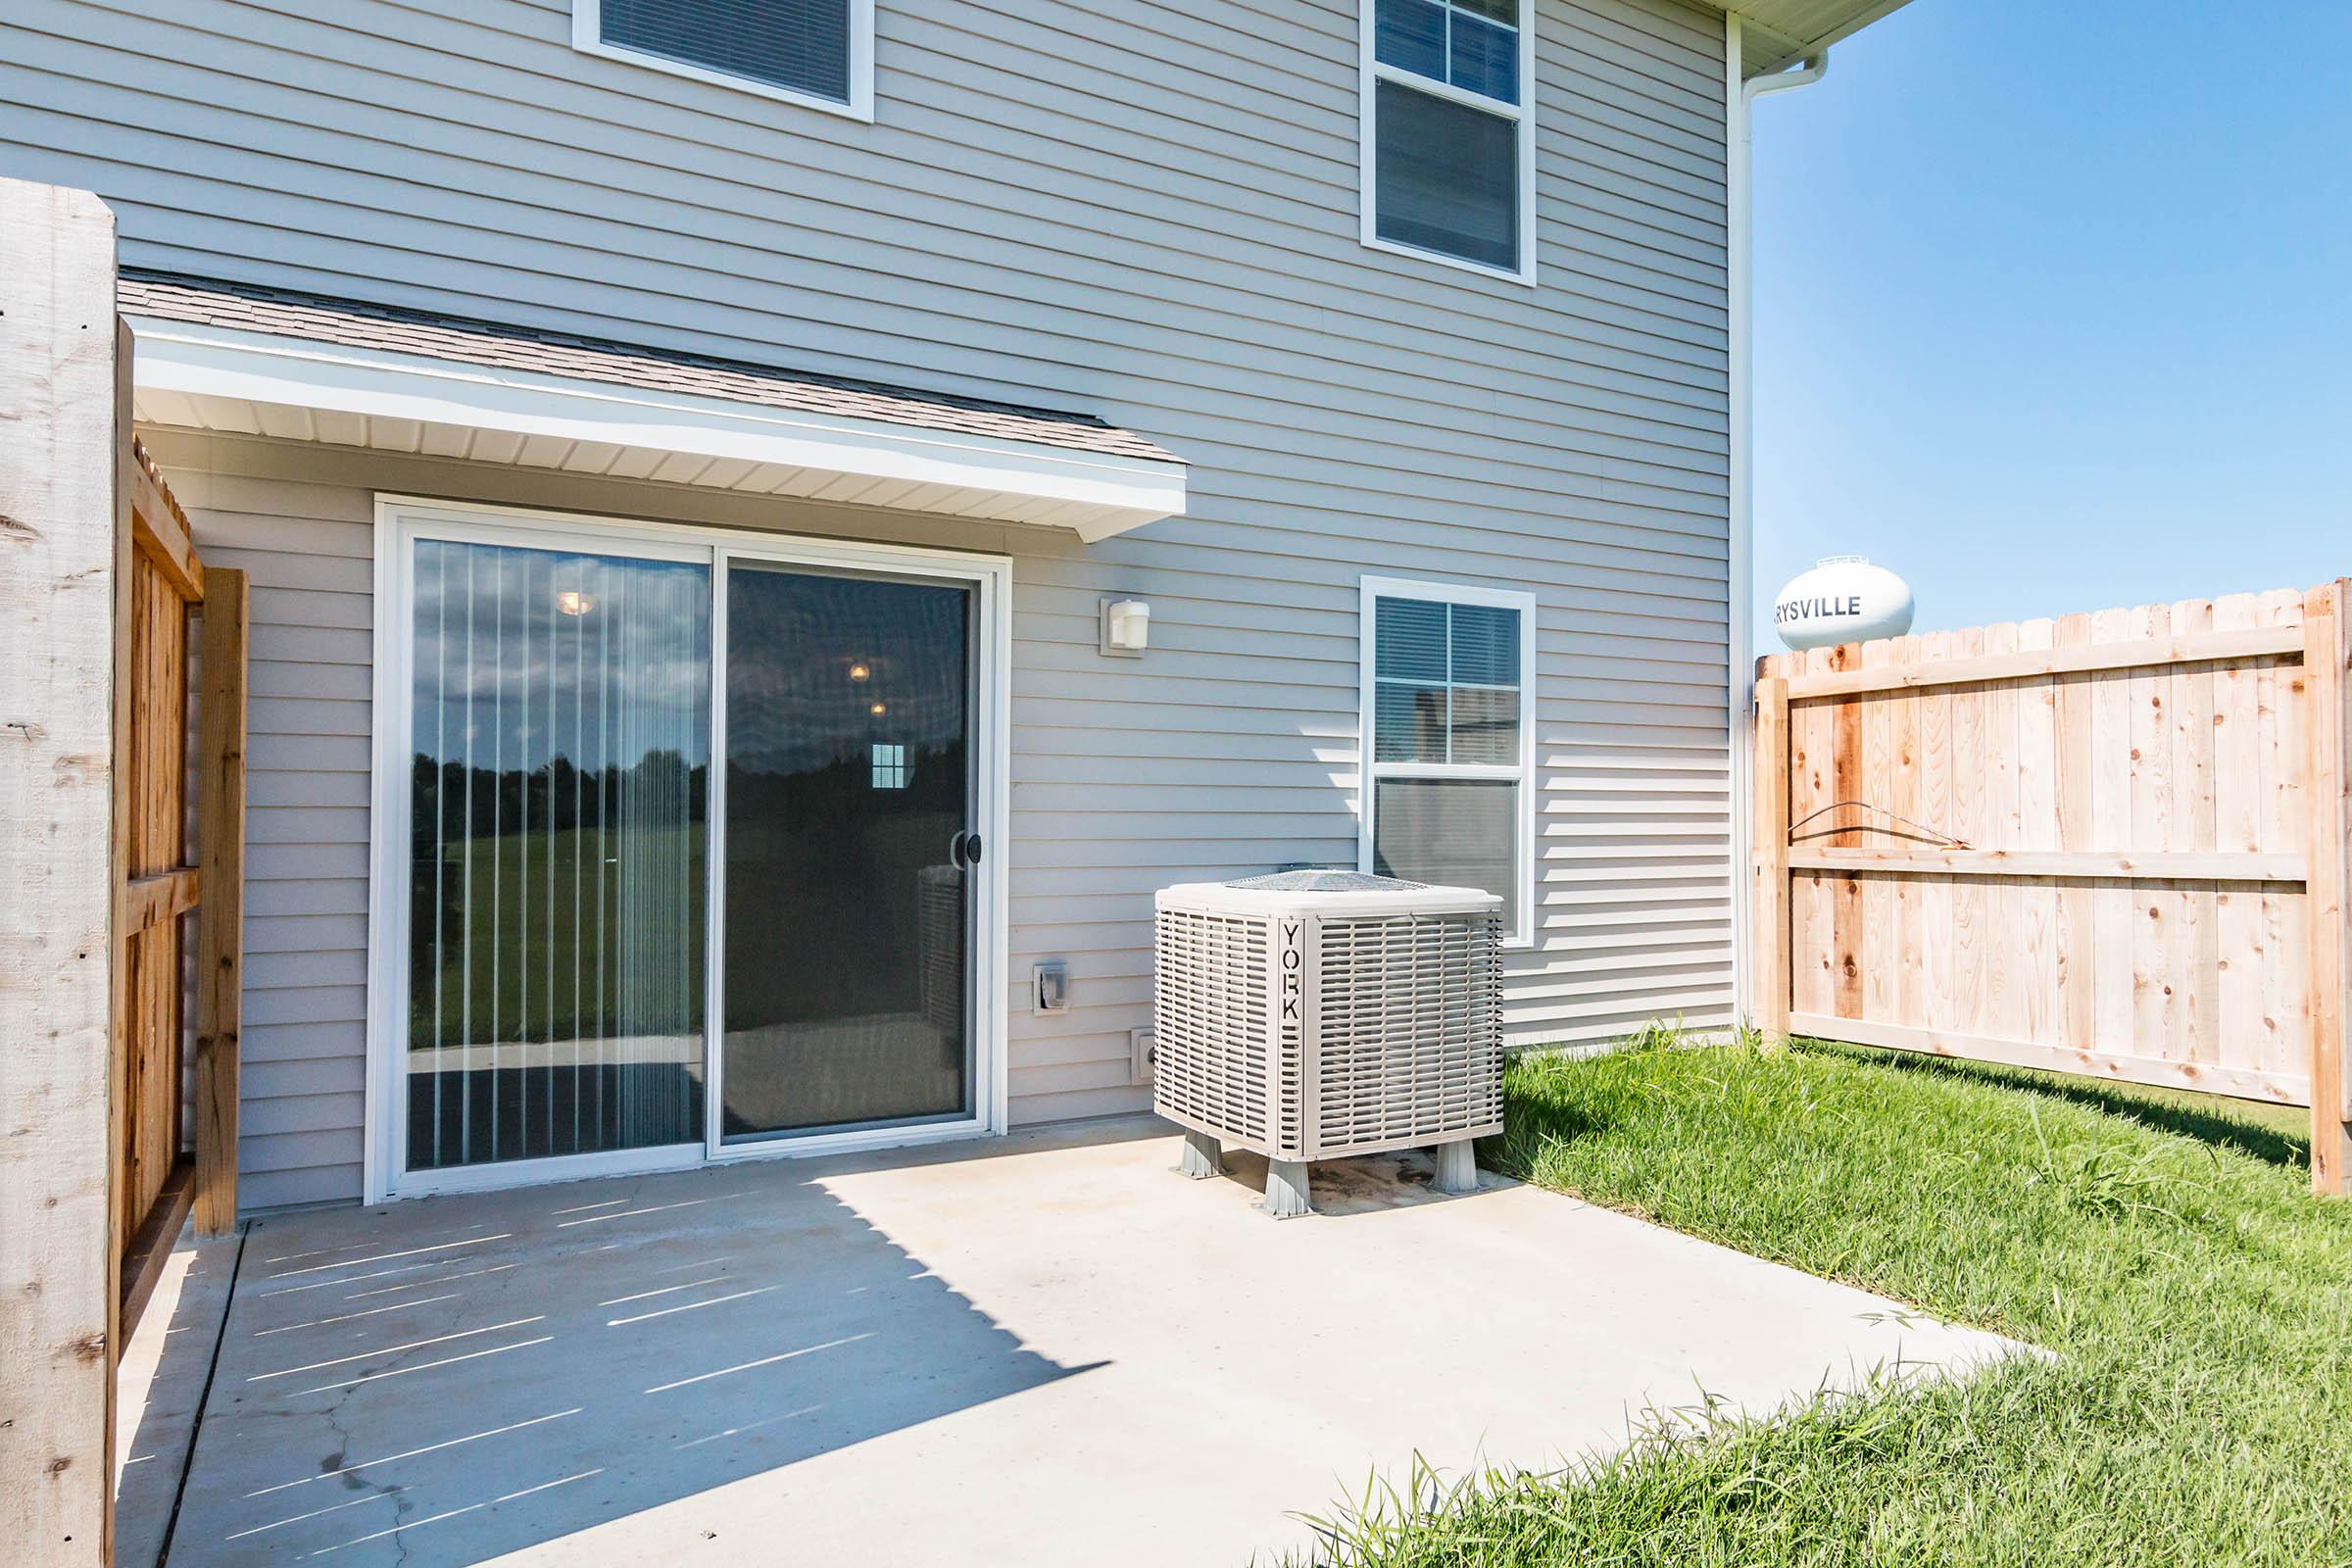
98,587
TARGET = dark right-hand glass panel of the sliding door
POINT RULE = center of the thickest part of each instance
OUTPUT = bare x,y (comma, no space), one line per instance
848,902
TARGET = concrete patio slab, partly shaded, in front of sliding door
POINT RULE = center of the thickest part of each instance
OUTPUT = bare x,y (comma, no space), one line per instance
1038,1351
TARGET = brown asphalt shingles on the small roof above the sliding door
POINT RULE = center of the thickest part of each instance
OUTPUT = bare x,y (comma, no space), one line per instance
559,354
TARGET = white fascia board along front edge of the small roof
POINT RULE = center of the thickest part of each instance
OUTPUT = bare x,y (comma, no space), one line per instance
1107,495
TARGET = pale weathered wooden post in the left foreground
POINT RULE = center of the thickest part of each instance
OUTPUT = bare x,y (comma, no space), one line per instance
60,492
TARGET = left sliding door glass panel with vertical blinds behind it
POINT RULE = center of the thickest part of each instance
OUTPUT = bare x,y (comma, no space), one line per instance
556,878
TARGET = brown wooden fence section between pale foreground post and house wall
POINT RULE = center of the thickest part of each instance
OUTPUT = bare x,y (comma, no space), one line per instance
161,1172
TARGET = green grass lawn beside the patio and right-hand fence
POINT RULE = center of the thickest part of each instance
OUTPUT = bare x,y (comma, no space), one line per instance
2165,1247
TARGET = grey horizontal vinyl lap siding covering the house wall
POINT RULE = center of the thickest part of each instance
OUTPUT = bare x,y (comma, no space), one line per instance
1149,215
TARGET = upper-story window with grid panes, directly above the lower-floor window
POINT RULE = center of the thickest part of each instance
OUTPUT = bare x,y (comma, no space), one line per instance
1450,145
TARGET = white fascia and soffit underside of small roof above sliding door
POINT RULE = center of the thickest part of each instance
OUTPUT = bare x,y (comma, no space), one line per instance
225,380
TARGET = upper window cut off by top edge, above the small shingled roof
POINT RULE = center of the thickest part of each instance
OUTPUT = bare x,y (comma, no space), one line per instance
815,53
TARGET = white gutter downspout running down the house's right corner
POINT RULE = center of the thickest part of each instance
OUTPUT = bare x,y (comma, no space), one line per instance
1739,239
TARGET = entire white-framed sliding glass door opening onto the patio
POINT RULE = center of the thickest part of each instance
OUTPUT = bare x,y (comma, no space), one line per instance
686,852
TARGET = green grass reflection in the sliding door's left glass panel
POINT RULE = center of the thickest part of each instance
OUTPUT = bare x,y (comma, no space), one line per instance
552,942
